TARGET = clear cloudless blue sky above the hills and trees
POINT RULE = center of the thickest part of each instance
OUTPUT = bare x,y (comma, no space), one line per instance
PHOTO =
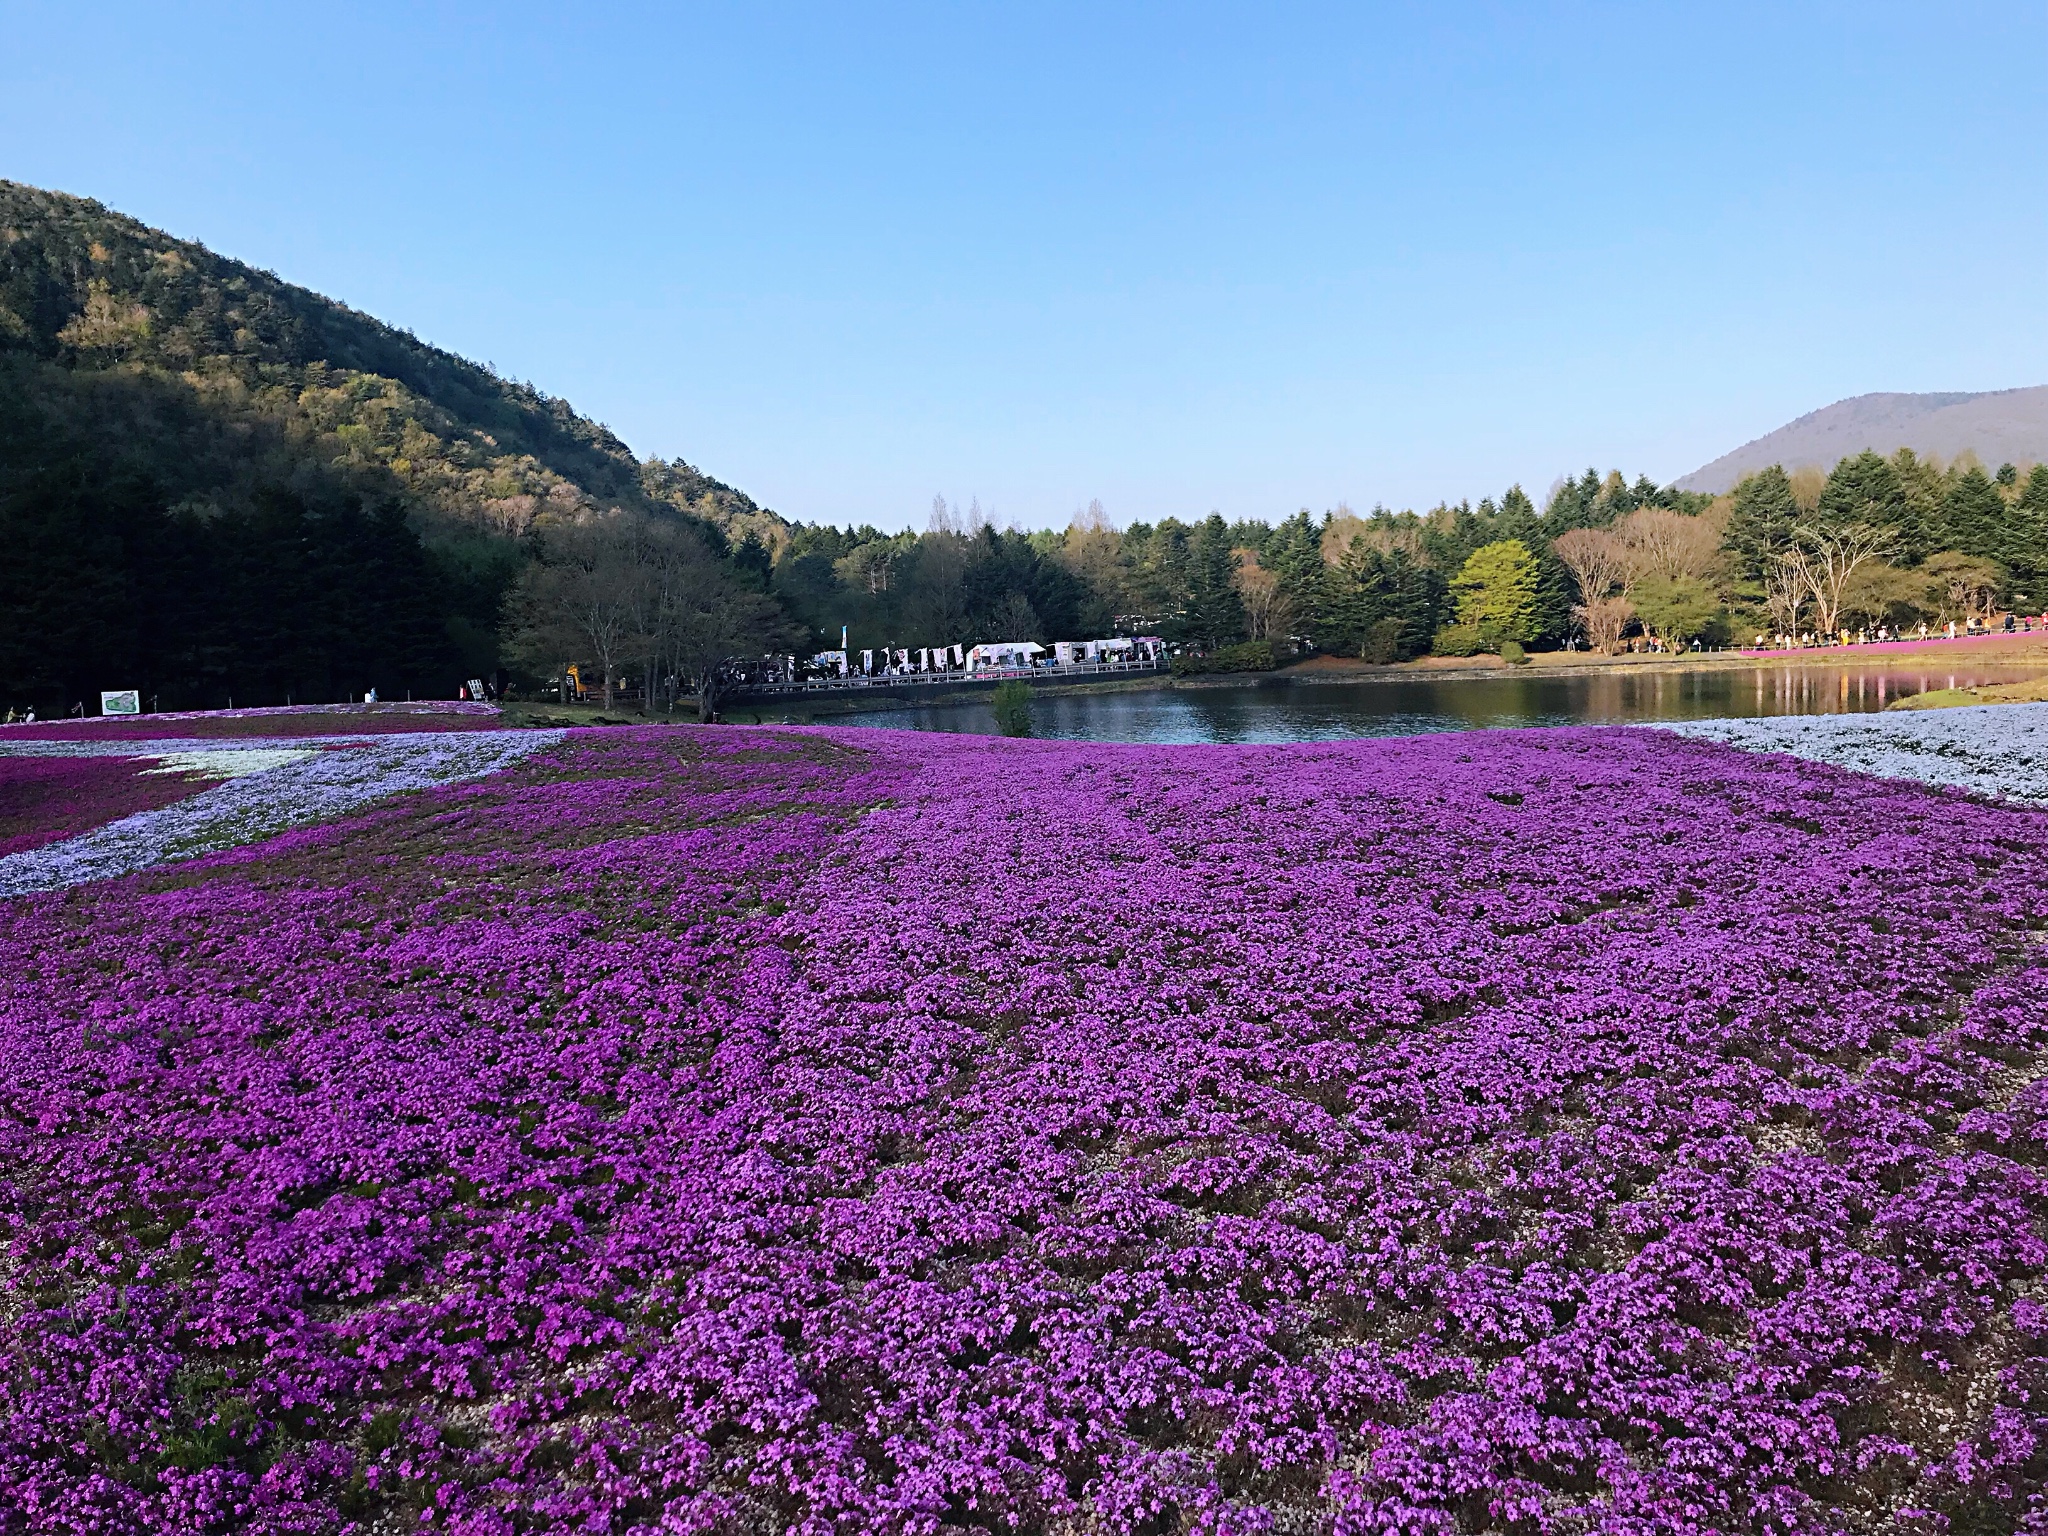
1170,257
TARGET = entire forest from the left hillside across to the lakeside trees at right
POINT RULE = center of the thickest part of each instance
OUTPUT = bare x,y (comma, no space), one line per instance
218,486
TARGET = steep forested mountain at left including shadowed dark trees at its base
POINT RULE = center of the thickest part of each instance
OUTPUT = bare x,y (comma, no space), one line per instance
218,484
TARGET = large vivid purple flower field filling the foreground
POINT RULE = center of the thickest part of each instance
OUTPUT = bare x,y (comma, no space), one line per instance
865,1132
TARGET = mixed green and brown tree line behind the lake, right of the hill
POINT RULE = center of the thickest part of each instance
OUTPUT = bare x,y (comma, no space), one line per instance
1605,562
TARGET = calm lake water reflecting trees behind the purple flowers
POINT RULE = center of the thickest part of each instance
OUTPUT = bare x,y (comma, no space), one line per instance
1412,706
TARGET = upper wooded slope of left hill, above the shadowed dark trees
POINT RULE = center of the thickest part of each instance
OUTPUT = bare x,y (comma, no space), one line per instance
214,378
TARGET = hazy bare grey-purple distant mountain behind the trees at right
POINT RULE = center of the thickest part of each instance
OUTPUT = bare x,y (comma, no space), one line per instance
2000,427
